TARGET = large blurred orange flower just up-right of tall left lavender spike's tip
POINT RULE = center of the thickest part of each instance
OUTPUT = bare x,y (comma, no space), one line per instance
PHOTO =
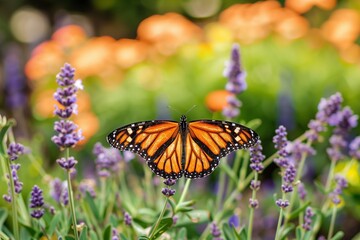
93,57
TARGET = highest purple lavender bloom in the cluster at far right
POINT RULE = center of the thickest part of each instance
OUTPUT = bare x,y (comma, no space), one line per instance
328,108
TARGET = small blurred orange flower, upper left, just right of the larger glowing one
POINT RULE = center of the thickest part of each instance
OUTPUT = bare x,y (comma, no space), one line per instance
129,52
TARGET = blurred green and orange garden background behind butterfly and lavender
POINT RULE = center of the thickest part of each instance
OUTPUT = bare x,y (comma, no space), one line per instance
144,60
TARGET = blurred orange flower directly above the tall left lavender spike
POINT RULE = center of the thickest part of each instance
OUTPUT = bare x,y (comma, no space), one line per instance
69,36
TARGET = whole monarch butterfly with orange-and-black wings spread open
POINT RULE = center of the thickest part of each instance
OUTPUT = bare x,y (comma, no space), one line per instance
172,149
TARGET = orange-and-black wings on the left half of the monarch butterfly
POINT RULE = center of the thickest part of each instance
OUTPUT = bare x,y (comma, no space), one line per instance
158,142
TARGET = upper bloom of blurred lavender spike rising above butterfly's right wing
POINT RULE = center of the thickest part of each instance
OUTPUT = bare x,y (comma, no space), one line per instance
234,73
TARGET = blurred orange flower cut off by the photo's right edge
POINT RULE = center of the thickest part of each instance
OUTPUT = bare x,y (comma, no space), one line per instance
343,28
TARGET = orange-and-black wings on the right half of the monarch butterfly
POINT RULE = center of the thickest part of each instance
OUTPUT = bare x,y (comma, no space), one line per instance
209,140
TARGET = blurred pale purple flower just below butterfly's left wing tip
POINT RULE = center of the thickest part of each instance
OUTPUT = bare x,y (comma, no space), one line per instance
107,160
